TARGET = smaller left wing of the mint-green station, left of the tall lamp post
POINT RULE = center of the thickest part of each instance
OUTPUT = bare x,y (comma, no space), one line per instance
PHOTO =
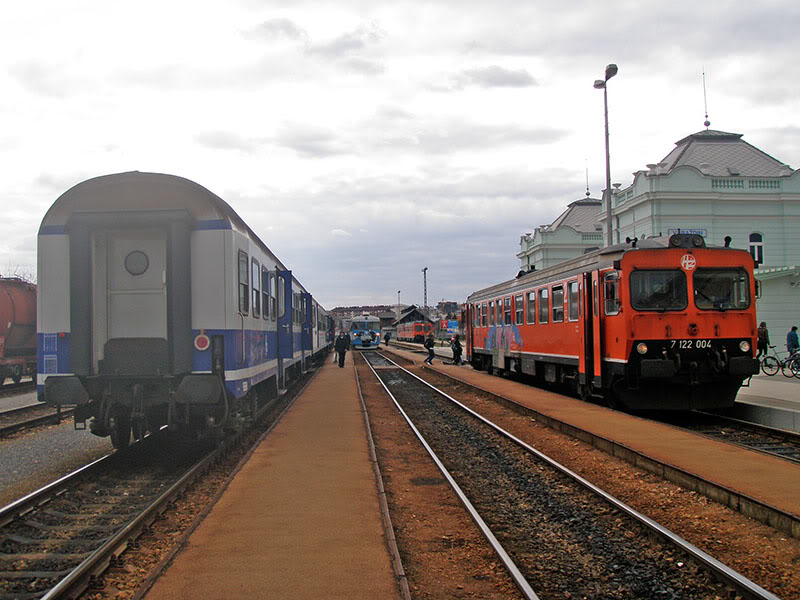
574,232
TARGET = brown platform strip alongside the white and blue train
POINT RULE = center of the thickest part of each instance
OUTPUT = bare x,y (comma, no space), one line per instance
301,519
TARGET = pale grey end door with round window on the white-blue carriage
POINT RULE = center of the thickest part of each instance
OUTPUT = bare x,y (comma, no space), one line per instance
131,325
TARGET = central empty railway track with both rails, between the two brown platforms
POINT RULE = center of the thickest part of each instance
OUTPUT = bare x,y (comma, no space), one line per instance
559,535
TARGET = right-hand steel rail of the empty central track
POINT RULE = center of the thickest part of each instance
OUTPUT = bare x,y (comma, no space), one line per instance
739,581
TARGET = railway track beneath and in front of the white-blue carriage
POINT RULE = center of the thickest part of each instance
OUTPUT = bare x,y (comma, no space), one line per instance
58,541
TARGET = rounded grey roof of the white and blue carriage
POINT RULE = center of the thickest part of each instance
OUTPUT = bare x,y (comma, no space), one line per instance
120,192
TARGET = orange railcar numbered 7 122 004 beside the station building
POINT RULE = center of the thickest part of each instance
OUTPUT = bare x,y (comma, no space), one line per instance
667,323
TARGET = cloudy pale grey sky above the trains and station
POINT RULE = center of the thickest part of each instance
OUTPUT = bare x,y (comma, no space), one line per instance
365,140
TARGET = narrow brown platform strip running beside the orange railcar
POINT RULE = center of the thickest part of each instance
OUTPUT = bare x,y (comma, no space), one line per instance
771,480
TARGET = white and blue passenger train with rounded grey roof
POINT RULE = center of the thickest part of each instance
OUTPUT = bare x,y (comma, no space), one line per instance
158,305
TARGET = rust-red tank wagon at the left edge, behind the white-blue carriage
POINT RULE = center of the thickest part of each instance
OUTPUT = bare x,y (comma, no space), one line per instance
17,329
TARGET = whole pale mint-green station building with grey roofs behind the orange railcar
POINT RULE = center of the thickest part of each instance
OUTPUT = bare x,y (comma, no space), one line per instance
712,183
